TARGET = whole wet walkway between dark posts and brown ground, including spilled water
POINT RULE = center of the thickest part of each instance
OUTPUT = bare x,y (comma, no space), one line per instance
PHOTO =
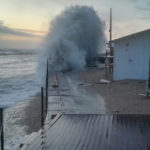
71,98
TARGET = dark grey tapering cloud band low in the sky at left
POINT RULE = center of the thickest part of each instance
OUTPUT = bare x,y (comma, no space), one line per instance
6,30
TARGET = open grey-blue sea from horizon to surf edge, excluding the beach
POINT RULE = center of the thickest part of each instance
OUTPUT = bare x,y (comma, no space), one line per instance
18,79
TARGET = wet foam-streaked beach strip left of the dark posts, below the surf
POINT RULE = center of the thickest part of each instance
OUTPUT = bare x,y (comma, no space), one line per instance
21,120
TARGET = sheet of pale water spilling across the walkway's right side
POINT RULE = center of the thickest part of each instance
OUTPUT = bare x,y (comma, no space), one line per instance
86,101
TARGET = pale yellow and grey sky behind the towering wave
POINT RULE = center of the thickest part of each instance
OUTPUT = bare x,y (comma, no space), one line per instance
23,23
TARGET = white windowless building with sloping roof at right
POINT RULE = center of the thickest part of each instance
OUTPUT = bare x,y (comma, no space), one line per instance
132,56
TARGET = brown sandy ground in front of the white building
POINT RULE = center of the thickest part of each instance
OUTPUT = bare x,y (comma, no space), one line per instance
120,96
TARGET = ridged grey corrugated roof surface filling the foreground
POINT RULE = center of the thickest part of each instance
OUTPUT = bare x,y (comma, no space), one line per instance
97,132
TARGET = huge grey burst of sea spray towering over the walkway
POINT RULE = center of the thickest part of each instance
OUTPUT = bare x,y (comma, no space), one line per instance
74,39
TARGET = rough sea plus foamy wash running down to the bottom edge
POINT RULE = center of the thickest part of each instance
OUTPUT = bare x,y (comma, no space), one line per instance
19,83
